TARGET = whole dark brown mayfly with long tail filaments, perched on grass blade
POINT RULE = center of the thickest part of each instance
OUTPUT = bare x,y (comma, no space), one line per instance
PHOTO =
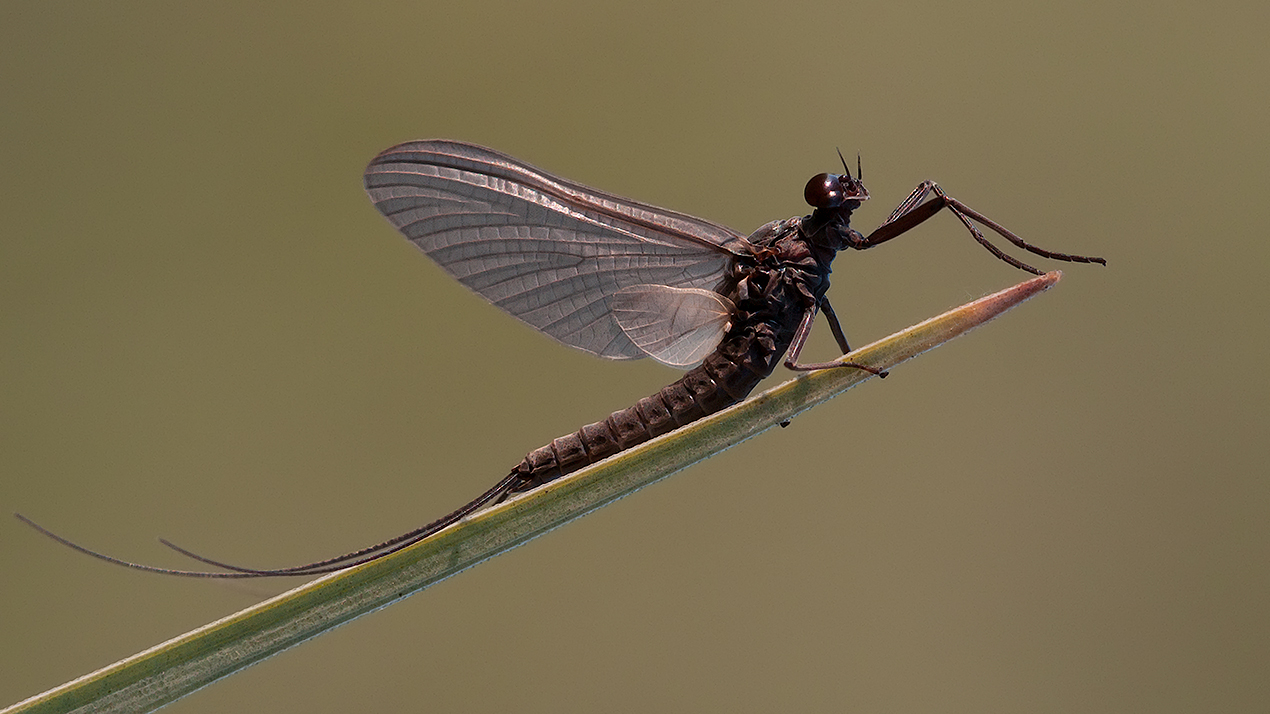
623,280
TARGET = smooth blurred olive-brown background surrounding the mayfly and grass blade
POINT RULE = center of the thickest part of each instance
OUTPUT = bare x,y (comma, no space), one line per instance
208,333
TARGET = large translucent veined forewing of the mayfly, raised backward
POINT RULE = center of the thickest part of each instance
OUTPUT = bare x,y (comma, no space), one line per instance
547,251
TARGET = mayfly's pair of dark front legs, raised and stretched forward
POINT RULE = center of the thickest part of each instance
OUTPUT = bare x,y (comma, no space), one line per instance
912,213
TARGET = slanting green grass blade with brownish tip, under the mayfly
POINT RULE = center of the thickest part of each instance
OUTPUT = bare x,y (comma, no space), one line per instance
184,665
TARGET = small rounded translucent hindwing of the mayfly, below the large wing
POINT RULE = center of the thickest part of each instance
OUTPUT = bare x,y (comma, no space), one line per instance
675,326
